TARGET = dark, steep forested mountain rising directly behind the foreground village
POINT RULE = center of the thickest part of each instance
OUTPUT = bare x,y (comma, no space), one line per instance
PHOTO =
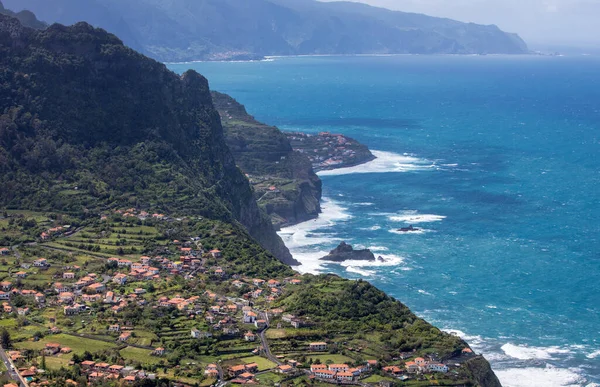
88,123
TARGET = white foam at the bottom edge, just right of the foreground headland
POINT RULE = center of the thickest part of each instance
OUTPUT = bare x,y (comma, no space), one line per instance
540,377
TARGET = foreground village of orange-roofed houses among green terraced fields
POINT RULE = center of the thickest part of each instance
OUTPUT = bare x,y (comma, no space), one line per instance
183,313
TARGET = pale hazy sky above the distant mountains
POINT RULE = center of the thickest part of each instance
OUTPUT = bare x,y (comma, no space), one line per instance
539,22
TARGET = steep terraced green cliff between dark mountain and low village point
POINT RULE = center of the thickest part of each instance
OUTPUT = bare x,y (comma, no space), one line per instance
284,182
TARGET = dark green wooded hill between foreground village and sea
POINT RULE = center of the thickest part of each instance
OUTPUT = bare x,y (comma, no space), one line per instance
338,305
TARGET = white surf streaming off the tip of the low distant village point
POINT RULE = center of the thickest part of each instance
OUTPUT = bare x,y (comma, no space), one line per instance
384,162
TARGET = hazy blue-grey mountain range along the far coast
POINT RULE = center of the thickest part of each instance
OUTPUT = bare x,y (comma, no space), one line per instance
183,30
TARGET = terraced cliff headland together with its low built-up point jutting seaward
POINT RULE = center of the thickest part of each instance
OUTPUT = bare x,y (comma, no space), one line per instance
280,165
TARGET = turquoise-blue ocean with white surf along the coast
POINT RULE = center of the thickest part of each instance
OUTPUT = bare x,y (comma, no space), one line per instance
495,159
